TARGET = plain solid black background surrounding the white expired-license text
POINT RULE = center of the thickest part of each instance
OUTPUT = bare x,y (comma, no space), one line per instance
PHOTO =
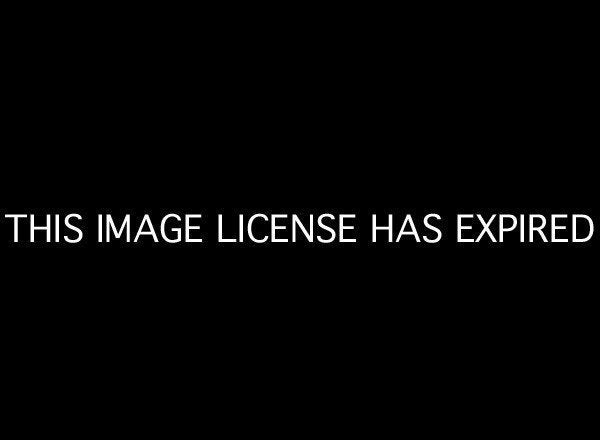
368,113
